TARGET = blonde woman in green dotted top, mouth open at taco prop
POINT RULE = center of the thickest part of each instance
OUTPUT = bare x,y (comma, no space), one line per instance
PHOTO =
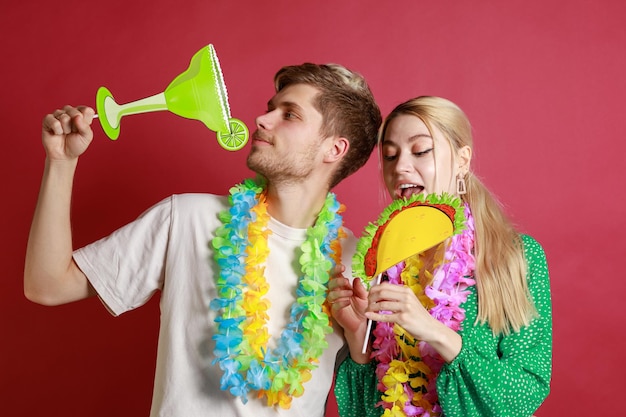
491,356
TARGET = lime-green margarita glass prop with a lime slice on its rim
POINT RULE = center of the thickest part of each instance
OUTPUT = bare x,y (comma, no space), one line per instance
198,93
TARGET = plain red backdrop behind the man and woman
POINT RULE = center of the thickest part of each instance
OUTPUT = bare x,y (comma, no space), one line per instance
542,82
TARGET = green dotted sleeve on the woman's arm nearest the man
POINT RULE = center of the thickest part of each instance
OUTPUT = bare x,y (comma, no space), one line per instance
355,389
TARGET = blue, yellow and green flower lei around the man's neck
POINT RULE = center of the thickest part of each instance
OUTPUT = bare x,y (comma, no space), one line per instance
242,338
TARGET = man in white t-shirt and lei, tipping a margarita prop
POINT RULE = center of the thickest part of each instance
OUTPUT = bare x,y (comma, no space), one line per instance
242,281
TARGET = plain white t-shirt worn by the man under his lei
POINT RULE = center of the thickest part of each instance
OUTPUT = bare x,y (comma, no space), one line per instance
168,249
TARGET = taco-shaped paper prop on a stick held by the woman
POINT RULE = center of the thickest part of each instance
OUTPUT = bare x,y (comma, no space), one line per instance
405,228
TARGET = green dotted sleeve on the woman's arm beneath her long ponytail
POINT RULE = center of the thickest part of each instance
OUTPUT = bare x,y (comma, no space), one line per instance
503,376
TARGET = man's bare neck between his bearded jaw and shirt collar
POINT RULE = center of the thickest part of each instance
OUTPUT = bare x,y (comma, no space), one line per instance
295,205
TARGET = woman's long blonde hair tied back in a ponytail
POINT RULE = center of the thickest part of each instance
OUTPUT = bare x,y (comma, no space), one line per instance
504,301
